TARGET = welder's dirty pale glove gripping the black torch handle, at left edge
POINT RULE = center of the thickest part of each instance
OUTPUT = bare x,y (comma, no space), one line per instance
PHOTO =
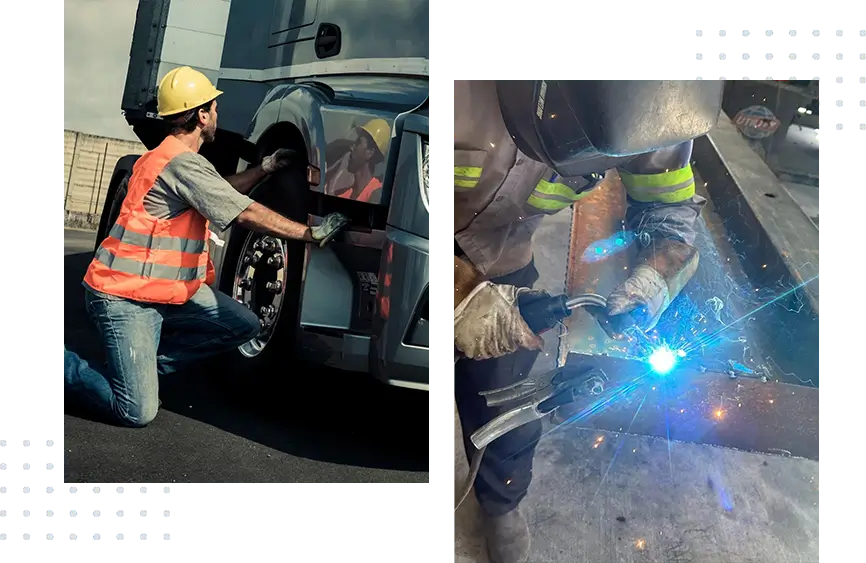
487,323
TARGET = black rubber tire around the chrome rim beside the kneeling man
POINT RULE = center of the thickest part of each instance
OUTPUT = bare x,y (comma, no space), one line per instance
286,193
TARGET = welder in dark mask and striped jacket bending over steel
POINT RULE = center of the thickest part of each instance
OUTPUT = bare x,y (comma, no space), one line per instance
518,158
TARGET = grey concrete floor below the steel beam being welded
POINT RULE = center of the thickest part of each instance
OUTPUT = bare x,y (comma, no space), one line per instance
687,503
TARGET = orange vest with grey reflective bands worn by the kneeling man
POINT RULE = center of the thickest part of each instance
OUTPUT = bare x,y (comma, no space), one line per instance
149,259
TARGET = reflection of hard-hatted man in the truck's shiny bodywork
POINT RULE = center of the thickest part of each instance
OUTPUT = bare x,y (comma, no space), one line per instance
367,152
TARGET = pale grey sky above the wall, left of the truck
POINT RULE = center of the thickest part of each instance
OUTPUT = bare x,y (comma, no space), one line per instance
96,38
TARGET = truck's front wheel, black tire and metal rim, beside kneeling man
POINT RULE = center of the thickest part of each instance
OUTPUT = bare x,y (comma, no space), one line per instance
264,273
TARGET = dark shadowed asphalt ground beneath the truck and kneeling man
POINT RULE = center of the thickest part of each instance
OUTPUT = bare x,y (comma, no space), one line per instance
316,428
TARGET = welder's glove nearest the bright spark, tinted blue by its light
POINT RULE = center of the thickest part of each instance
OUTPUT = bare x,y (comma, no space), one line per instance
662,270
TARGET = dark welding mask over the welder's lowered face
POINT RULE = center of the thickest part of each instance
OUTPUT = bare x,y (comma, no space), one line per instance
581,126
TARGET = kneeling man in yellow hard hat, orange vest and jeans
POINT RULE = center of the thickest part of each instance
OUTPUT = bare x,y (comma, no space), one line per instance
147,288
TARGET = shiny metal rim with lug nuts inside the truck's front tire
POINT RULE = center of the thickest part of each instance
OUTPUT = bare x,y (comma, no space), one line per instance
259,284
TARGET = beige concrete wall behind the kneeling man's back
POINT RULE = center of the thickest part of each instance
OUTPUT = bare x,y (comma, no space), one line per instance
88,162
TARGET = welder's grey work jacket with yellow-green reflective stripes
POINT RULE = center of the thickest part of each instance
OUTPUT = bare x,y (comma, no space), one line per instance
501,195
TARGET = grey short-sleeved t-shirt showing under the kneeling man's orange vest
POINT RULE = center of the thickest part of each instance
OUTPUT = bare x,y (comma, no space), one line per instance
189,180
